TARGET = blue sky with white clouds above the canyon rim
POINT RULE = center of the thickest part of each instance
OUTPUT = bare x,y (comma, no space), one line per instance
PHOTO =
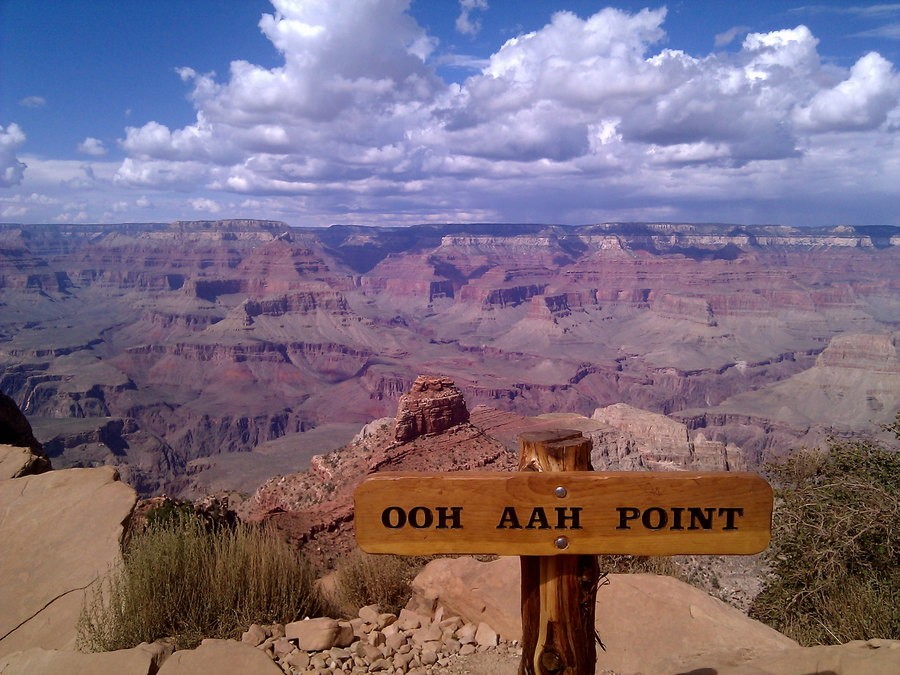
390,112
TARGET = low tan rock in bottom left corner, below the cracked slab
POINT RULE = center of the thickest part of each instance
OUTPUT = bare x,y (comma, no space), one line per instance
141,660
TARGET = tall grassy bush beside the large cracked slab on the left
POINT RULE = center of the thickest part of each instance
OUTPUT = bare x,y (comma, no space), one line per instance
180,579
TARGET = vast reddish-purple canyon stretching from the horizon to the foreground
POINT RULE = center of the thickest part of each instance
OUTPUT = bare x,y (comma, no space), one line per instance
215,355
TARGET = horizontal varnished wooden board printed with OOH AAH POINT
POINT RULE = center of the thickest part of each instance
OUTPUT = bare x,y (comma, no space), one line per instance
576,512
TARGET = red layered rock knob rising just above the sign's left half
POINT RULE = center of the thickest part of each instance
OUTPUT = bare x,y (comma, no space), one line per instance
431,406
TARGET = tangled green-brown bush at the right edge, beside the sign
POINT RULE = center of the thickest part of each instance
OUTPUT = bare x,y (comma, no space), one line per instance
835,575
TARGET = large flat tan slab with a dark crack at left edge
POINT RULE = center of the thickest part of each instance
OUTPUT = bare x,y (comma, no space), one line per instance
61,530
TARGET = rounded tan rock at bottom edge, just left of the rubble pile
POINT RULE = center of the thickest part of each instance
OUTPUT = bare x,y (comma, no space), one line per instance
222,657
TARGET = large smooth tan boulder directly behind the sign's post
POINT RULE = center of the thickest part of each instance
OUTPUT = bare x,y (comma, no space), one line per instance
644,620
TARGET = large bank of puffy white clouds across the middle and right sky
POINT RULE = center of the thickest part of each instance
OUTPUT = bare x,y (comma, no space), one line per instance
583,112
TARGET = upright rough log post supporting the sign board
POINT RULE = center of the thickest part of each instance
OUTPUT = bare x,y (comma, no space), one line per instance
558,592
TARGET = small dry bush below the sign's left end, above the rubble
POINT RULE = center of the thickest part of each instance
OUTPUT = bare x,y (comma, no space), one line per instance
384,580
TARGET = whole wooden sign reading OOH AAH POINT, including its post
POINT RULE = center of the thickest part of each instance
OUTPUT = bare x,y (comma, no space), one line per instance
557,515
